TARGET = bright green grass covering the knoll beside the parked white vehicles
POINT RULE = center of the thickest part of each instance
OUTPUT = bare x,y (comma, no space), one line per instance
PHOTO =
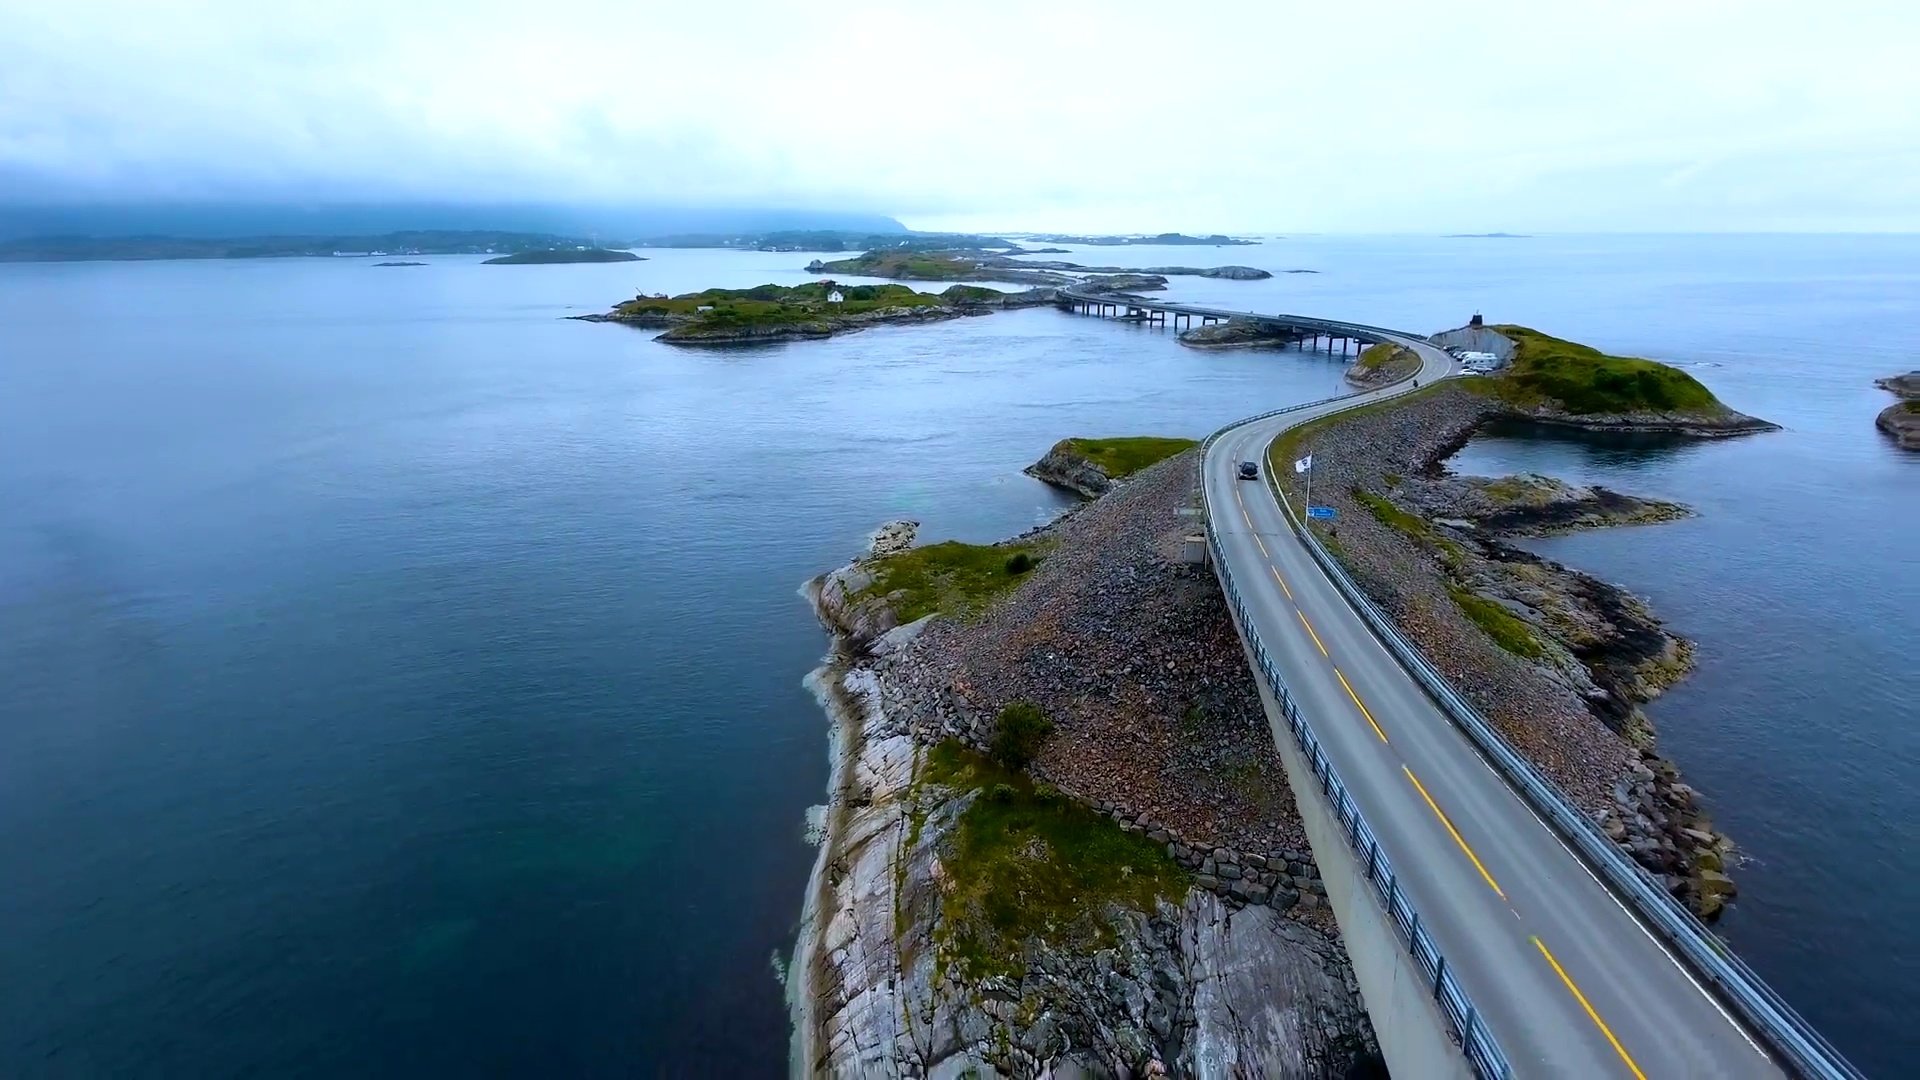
1585,381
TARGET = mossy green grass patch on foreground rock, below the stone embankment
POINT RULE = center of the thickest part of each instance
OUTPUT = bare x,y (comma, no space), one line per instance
1026,864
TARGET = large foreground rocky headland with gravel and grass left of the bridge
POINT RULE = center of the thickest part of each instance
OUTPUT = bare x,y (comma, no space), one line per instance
1061,841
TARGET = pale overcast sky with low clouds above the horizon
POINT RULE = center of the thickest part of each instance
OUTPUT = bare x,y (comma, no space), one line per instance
1107,116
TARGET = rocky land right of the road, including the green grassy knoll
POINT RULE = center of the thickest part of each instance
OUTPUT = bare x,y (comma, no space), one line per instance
1558,660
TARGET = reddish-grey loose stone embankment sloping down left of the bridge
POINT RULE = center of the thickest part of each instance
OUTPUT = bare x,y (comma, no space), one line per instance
1138,664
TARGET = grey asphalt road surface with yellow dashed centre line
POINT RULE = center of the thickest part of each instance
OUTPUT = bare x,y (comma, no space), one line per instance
1564,975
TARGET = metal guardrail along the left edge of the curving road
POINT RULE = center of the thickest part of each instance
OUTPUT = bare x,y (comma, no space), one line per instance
1476,1041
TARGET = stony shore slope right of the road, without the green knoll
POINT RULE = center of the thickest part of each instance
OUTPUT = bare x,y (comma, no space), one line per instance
1575,658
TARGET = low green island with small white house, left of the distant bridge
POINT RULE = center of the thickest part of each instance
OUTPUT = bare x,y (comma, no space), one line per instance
815,310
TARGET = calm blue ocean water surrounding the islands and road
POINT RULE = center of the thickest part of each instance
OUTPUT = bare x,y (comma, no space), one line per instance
400,677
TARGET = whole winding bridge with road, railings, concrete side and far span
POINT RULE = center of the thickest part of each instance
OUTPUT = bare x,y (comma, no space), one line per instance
1495,929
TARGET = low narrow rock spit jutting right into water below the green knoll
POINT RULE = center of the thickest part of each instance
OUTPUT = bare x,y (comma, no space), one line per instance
1529,504
